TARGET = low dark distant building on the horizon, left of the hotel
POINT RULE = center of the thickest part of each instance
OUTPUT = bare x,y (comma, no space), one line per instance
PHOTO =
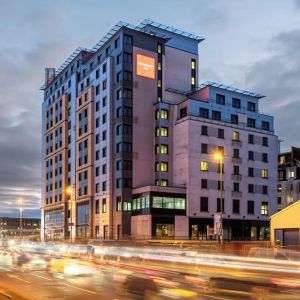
10,227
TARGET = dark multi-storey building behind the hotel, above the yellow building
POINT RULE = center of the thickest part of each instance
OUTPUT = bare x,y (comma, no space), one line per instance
288,177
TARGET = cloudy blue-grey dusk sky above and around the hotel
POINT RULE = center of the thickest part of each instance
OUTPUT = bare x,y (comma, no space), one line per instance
250,44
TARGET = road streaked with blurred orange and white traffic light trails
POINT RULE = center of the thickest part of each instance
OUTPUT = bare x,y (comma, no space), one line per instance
128,278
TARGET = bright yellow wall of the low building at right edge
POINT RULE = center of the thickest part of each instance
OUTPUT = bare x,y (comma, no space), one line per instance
287,218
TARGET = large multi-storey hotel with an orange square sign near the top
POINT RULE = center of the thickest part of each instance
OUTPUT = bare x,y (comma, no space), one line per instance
128,137
